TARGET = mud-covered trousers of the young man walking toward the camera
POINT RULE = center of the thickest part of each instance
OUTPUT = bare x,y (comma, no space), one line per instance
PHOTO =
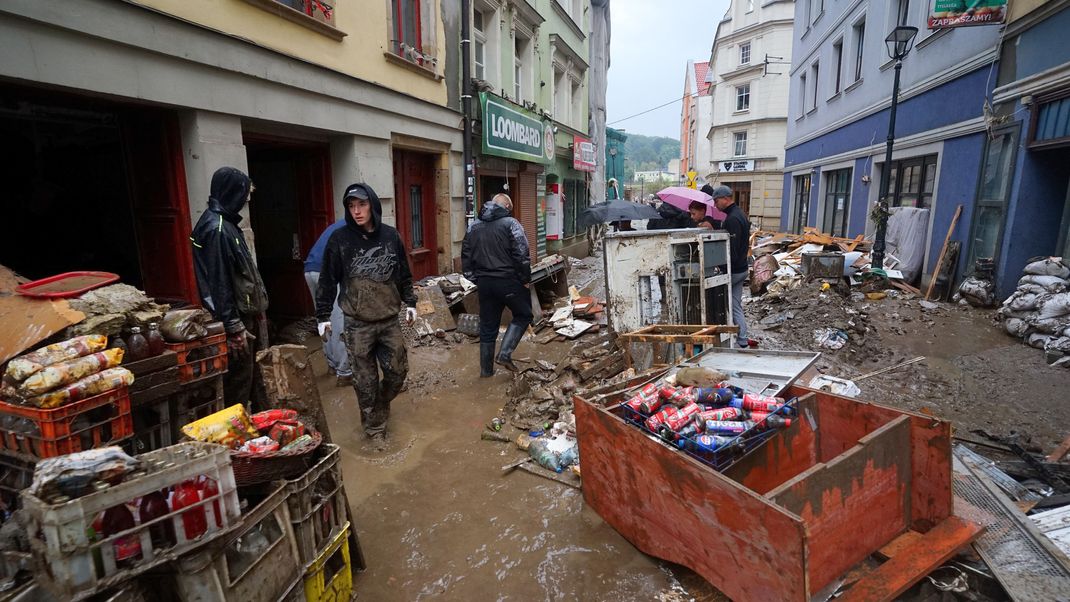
374,347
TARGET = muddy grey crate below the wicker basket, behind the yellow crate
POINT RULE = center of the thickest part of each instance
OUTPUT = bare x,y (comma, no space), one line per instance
256,563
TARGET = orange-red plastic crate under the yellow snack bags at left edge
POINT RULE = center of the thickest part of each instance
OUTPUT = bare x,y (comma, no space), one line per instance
96,422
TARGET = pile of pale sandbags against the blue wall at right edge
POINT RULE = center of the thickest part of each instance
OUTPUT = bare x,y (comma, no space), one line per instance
1040,311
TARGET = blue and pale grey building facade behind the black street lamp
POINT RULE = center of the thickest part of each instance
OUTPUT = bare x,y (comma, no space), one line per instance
838,125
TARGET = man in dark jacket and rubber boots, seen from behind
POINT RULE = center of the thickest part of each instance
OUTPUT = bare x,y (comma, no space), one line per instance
495,257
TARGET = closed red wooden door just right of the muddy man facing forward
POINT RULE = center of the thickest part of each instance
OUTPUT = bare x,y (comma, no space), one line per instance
415,208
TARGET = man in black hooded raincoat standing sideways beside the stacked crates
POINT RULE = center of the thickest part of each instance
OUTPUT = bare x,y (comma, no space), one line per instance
227,279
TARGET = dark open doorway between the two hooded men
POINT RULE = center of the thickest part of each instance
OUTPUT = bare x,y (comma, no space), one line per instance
291,209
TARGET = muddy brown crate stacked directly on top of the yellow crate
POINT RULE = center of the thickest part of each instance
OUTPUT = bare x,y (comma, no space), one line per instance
318,506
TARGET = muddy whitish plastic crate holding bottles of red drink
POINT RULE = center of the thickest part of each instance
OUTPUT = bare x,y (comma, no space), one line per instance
75,567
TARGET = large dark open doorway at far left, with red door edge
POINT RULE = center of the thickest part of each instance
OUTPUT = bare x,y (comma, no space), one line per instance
95,186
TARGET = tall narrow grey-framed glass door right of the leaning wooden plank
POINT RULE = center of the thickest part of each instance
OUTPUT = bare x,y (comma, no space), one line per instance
992,192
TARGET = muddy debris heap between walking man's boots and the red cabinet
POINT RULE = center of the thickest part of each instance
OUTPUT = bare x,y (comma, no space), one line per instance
543,391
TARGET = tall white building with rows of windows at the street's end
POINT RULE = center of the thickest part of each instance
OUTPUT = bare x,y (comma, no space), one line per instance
748,120
